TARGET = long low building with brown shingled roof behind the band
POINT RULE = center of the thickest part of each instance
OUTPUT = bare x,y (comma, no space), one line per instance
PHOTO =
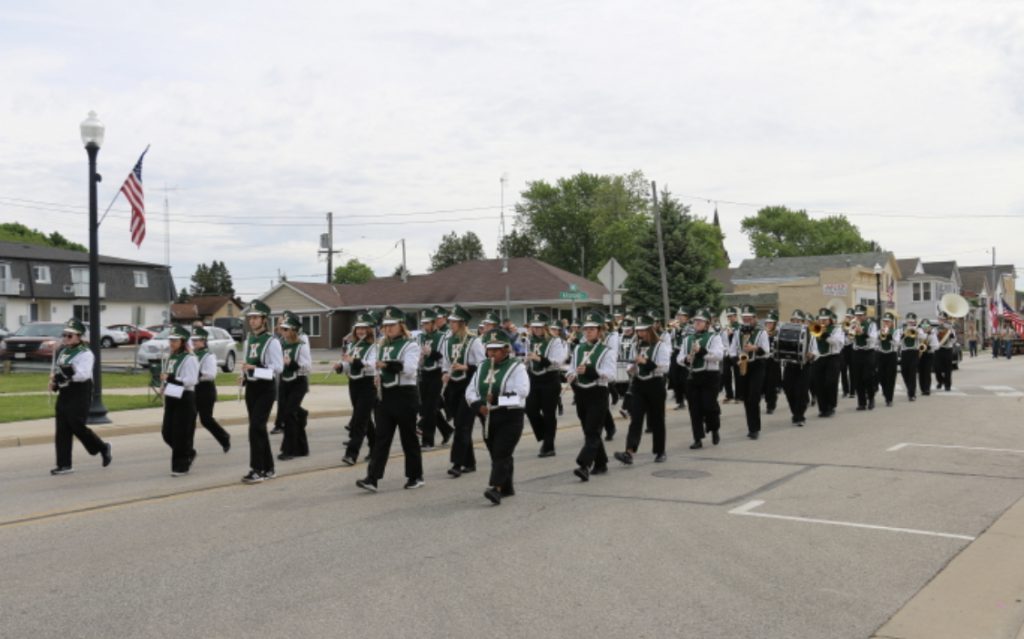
328,311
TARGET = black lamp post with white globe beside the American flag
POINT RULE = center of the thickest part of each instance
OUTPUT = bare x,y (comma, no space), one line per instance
93,138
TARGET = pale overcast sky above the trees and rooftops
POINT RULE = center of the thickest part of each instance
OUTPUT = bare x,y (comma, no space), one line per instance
264,117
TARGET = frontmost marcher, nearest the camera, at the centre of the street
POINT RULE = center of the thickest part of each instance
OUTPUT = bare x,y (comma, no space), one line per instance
498,392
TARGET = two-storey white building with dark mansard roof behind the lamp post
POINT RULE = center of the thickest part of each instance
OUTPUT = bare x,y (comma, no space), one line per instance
53,285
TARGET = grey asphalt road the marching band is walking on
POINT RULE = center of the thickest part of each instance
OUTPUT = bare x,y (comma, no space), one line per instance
818,532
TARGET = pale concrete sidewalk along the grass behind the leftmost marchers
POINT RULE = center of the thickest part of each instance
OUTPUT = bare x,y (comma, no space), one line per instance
321,402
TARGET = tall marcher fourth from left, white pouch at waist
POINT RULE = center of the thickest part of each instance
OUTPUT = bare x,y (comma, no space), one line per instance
260,371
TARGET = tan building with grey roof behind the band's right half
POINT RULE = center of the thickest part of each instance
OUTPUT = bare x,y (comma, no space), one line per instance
814,282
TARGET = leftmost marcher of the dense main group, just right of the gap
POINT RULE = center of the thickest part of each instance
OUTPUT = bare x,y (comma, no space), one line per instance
360,364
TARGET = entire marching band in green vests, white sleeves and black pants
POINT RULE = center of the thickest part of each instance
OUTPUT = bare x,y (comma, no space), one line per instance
468,375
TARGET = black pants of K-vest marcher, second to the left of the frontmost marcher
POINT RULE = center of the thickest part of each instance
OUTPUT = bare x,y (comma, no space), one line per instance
397,410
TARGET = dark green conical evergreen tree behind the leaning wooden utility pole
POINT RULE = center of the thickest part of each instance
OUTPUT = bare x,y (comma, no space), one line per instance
690,259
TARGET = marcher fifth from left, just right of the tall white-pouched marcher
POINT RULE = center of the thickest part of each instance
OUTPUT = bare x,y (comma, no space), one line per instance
293,388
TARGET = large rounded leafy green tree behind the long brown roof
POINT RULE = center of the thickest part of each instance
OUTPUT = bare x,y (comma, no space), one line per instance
581,222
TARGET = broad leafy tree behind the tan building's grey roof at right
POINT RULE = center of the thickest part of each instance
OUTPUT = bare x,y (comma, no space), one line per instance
779,232
